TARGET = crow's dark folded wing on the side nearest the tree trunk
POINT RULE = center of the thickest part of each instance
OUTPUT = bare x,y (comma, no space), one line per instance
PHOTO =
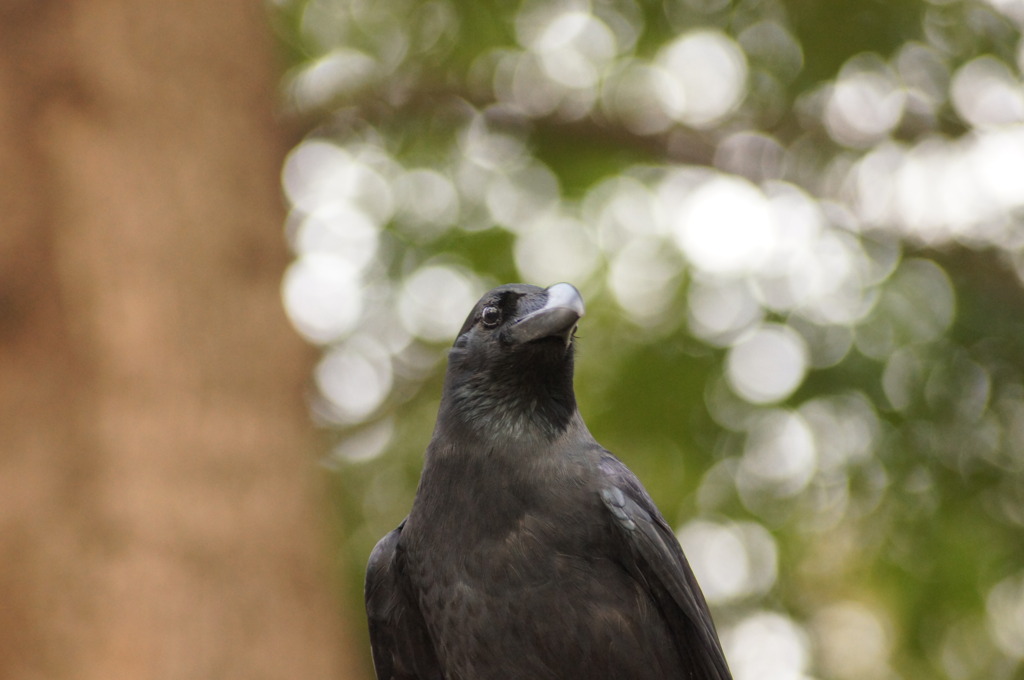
399,639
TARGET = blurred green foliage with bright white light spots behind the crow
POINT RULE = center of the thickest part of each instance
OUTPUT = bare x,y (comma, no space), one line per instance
798,228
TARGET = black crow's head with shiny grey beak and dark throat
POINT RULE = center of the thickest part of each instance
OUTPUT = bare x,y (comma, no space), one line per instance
510,370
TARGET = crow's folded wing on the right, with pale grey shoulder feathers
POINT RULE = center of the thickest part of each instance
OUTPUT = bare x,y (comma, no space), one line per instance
654,558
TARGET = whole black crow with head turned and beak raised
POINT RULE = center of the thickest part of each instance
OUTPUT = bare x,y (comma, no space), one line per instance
531,552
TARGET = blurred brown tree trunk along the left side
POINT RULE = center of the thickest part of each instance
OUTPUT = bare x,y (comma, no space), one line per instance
159,501
